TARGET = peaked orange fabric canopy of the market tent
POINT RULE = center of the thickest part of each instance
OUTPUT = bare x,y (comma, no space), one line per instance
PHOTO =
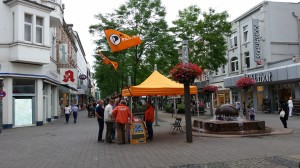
157,84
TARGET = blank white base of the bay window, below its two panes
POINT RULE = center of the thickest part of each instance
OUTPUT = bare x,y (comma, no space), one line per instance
28,53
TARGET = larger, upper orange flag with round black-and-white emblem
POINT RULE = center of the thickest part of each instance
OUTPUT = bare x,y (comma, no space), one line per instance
119,41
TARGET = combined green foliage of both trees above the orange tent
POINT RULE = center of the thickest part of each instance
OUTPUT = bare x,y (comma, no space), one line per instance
205,32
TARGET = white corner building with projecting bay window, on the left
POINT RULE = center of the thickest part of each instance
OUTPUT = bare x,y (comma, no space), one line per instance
30,62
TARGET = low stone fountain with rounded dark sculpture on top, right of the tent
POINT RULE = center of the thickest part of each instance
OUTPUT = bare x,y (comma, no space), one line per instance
228,121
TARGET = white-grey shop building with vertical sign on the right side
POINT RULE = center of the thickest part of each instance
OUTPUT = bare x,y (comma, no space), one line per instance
265,45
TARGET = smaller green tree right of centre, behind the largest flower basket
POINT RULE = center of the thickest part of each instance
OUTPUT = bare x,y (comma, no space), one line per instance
206,35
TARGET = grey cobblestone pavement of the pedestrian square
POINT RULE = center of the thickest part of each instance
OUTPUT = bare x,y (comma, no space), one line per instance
60,145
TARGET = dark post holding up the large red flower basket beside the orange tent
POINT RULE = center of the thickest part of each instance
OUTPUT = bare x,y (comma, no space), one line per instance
187,96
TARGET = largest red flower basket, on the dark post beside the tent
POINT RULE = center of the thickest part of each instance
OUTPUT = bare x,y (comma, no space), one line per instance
185,73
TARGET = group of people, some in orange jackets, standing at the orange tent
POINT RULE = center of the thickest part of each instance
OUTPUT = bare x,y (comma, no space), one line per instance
116,115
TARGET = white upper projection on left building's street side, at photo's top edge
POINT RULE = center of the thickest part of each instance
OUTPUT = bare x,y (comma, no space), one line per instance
56,16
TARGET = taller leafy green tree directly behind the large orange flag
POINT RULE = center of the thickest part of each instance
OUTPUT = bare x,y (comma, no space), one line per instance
145,18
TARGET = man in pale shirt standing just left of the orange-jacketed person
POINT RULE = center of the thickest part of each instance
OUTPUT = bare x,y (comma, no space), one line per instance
109,120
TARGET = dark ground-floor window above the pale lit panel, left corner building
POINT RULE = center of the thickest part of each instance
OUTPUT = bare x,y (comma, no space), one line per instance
24,86
